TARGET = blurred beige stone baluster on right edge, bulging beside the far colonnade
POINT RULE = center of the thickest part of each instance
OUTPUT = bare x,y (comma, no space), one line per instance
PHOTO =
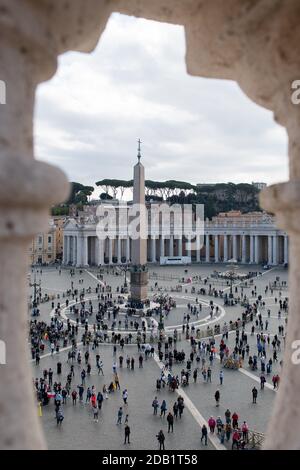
284,200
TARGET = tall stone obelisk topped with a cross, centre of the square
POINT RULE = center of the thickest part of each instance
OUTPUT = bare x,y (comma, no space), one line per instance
139,271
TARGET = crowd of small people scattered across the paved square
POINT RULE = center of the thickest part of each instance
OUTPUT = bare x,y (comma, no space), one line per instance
196,357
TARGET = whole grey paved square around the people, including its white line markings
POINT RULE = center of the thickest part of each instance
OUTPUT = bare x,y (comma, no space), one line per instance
80,431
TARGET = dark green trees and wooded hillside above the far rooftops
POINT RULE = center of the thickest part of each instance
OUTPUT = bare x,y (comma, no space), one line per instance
221,197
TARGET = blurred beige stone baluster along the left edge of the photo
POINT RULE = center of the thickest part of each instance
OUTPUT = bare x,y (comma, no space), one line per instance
28,188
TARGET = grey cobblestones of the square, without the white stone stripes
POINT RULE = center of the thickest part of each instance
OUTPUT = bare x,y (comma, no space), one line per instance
78,430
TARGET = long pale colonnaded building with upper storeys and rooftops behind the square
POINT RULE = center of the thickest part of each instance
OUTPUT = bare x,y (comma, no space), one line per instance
247,238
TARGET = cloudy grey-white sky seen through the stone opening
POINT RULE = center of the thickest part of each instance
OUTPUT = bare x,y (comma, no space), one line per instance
90,115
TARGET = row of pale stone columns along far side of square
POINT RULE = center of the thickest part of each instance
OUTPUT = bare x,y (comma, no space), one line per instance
84,250
